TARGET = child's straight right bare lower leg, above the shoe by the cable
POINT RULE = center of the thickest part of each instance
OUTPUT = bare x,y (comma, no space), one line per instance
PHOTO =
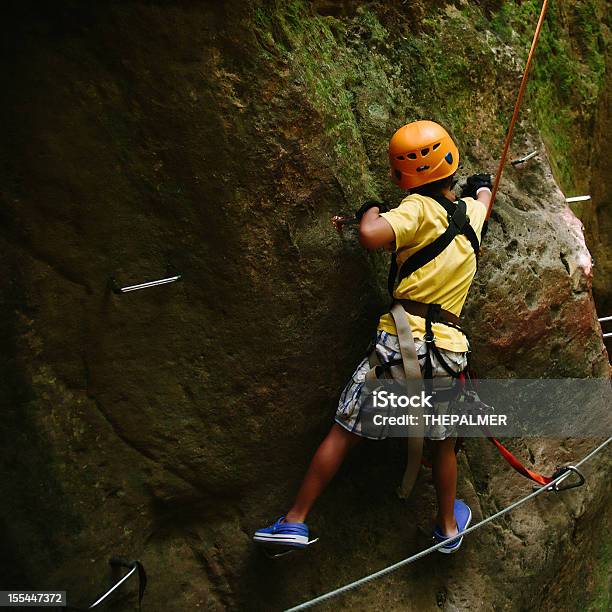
444,464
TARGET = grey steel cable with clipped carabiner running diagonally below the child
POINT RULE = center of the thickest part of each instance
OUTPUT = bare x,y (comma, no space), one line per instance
553,486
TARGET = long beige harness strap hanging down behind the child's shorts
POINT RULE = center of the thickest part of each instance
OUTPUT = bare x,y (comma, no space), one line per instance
414,386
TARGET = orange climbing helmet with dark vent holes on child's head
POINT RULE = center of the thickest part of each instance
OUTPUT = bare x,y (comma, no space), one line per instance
421,152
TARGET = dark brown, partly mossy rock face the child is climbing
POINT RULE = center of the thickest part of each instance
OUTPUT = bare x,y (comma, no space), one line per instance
168,424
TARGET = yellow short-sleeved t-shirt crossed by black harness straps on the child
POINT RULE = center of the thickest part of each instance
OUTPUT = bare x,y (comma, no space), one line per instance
445,280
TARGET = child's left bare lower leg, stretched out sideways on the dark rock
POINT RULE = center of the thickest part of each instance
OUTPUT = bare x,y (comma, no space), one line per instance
323,467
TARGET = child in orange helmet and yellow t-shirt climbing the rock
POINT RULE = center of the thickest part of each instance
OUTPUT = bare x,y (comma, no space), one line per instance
435,242
